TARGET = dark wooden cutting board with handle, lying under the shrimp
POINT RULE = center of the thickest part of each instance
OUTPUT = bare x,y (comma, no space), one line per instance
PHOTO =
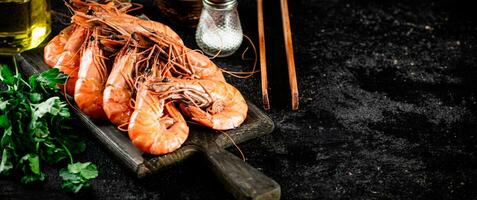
239,178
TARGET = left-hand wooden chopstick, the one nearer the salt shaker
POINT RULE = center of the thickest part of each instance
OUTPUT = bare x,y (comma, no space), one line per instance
263,58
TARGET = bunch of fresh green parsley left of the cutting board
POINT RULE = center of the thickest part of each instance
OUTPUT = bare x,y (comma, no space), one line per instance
35,130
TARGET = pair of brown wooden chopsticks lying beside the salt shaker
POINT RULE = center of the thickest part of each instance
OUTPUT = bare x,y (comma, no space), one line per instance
289,52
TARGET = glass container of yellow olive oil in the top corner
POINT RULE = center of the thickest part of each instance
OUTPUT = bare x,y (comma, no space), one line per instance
24,24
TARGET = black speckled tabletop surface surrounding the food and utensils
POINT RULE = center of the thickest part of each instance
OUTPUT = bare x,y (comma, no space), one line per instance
388,109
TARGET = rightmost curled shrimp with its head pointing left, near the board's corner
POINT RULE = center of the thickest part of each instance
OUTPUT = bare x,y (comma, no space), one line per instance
211,103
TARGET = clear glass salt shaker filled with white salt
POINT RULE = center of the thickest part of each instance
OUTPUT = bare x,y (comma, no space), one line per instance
219,28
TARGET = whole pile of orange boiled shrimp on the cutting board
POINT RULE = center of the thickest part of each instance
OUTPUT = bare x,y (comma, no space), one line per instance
139,75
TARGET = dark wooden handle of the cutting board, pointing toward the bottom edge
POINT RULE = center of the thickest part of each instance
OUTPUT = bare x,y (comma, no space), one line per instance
241,179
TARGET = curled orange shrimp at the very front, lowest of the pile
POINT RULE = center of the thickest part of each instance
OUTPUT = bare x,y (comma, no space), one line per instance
156,127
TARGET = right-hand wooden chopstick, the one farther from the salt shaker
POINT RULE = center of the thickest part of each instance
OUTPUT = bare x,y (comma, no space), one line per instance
289,51
